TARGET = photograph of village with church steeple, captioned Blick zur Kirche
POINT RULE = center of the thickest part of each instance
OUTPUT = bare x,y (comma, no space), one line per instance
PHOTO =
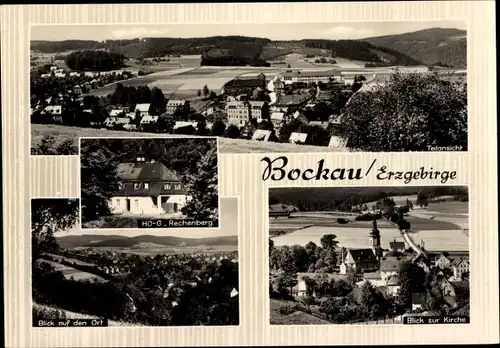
372,255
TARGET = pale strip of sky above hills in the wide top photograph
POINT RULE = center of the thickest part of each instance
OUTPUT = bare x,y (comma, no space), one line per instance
274,31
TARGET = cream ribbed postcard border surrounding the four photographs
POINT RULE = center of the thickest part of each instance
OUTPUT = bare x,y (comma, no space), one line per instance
241,176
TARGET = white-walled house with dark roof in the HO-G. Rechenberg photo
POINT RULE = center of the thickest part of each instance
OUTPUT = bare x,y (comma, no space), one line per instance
147,188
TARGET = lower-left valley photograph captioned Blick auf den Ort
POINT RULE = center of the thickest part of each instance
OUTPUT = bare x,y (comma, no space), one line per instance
114,278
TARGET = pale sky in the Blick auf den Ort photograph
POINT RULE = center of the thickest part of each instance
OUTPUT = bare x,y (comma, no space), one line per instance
228,226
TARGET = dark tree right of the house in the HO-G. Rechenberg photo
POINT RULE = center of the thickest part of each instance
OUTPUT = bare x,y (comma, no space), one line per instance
202,186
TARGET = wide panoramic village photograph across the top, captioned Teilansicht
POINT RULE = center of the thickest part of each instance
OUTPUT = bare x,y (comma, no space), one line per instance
310,87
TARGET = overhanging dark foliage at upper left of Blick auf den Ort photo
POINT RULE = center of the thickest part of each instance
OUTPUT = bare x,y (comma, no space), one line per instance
48,216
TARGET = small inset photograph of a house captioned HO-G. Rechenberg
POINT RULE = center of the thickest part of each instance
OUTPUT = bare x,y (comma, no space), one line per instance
149,182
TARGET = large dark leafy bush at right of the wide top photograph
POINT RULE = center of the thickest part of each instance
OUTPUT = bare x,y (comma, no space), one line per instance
408,113
